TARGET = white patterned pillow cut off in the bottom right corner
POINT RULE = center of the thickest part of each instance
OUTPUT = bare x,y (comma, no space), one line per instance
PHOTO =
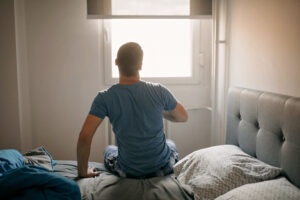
267,190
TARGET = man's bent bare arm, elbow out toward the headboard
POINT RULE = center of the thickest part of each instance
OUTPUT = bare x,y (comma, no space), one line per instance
178,114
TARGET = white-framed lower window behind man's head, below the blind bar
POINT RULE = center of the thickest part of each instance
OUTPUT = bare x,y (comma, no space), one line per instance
171,48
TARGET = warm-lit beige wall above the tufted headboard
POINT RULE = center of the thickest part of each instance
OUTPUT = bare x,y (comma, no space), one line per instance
265,45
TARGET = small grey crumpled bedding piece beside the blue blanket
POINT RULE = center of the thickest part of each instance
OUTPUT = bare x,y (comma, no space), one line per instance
39,157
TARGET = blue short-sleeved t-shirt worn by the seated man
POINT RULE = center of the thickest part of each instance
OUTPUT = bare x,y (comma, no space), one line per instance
136,114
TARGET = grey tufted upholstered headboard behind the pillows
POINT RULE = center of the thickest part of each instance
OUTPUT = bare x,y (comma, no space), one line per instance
266,126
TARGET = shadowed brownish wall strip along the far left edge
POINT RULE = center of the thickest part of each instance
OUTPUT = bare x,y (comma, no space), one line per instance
9,113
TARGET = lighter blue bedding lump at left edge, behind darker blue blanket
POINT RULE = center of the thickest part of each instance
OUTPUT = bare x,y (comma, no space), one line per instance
10,159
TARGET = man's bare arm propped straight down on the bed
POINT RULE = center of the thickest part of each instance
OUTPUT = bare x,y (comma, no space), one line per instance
84,145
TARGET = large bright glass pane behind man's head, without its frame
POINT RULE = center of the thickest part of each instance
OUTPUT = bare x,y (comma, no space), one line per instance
166,45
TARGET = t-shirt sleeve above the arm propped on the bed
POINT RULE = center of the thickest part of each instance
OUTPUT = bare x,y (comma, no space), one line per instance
98,107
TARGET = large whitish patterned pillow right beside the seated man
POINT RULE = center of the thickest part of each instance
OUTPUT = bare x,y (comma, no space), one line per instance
213,171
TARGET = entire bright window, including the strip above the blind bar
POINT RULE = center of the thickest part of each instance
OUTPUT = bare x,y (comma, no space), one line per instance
171,46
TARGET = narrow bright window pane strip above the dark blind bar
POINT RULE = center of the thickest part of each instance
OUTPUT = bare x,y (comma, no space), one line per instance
150,7
